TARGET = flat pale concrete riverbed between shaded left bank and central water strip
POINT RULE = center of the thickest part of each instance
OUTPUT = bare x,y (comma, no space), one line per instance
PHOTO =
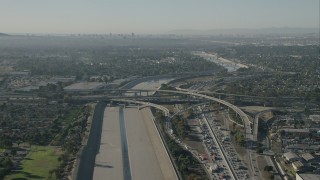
108,164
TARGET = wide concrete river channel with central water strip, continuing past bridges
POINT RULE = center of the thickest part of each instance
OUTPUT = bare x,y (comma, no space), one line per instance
124,144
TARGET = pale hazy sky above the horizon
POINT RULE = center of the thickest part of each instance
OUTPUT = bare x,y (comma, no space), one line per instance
151,16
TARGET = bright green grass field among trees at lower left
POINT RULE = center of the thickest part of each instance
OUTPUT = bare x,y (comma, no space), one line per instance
37,165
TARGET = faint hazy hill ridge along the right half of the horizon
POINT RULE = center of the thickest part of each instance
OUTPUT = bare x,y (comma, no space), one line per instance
284,30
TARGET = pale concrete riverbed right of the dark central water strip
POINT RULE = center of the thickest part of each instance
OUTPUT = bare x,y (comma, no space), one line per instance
148,158
